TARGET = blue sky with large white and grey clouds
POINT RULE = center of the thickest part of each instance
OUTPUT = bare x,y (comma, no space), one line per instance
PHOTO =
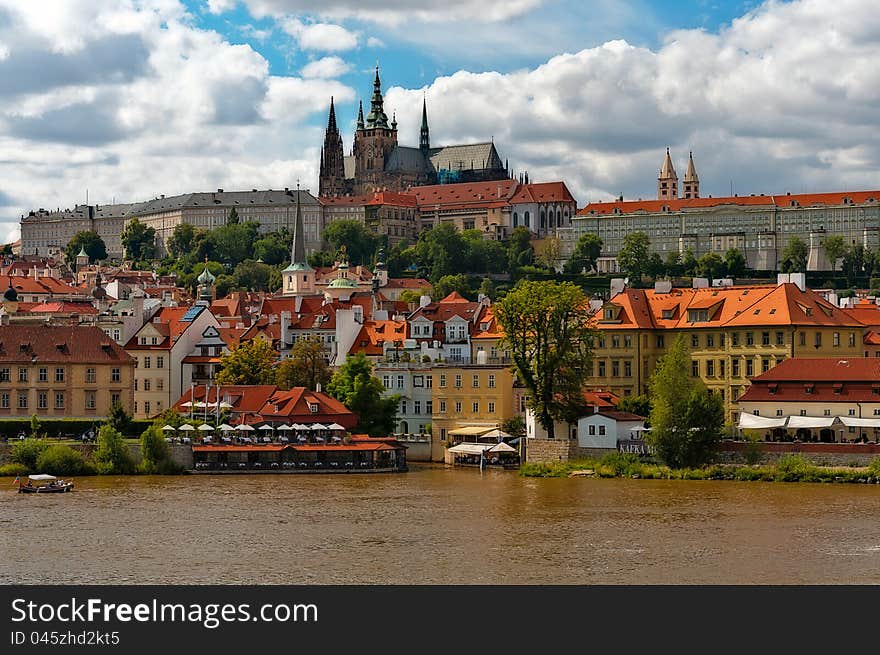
121,101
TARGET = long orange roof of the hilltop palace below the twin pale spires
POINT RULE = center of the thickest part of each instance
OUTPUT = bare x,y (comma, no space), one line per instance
683,204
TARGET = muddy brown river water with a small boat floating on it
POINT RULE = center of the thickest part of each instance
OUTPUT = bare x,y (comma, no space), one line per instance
438,525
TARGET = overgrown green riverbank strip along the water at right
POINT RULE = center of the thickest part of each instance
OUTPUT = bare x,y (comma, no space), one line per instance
789,468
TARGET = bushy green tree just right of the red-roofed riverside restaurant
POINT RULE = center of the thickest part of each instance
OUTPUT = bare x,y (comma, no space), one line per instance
359,391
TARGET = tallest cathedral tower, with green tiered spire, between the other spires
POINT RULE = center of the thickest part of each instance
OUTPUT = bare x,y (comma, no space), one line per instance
373,142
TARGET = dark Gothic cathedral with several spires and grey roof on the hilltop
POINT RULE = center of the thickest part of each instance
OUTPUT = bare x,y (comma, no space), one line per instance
378,163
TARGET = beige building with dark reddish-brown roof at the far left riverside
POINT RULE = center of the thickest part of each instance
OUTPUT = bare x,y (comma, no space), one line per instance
62,372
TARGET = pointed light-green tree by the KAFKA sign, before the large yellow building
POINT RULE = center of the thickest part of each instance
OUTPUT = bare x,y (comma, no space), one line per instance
686,418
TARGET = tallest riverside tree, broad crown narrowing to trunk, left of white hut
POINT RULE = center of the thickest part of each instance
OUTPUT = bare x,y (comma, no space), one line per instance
546,327
